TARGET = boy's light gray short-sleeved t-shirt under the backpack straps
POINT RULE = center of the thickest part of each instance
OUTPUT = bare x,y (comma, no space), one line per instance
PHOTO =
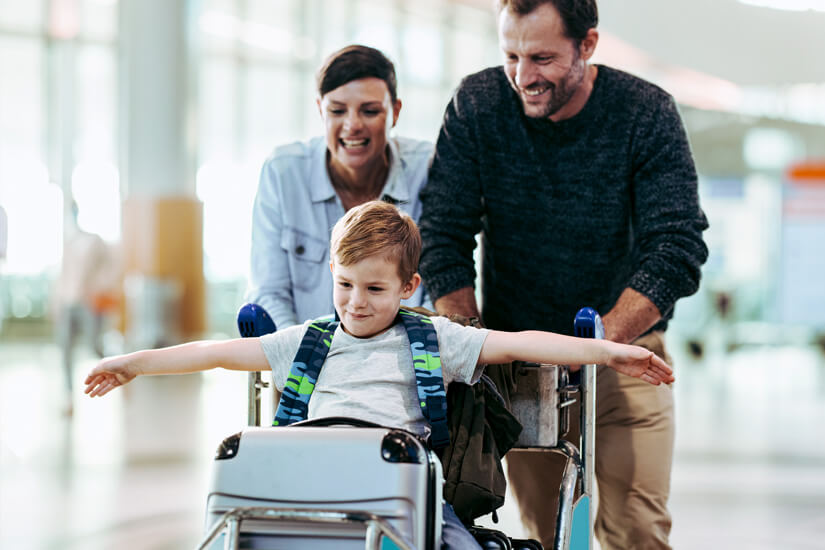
373,378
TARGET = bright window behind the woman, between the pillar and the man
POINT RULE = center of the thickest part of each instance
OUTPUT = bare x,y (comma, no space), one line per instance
257,88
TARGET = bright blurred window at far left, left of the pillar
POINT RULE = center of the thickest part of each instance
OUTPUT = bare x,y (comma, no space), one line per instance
58,111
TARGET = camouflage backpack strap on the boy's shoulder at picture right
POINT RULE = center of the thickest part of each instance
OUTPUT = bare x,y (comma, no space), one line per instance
428,376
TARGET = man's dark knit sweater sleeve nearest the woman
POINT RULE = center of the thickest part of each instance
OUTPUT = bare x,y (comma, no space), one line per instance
452,202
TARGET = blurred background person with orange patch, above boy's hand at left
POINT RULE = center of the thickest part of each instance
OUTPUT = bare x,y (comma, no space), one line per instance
86,291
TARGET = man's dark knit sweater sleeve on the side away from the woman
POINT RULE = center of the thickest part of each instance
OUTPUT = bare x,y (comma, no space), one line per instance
667,219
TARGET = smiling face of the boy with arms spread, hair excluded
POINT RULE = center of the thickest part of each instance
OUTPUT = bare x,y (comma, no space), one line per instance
367,294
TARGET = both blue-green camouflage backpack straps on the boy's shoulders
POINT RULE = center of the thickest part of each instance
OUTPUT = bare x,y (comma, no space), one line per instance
312,352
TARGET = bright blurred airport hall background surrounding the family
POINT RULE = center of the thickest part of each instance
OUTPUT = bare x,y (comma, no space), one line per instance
150,119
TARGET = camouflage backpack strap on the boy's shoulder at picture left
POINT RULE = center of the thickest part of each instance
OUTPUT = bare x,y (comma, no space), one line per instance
303,374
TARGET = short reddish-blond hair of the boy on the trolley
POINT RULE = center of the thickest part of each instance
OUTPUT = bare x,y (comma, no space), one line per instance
377,228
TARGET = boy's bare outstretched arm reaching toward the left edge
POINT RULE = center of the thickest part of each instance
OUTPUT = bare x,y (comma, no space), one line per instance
237,354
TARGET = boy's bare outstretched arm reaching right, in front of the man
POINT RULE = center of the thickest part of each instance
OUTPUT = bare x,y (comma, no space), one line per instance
551,348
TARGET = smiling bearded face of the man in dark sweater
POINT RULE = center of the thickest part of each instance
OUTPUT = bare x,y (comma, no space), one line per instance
543,65
